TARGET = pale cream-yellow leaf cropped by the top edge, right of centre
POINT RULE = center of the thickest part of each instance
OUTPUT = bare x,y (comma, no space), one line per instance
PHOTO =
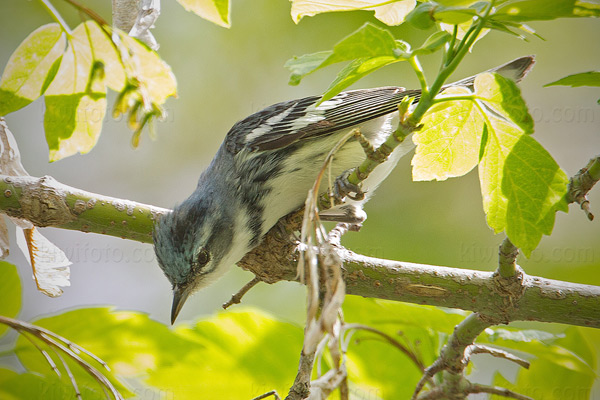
391,13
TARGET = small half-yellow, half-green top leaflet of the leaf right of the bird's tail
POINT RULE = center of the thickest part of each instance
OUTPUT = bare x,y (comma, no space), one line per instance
504,97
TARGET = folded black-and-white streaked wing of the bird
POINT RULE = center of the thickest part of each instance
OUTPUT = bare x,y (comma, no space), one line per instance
284,123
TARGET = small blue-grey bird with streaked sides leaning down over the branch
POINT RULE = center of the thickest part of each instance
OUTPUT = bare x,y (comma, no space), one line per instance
264,169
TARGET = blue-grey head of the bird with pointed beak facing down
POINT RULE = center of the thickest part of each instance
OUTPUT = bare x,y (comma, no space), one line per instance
194,245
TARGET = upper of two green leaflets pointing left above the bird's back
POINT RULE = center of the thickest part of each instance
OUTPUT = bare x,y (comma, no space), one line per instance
367,42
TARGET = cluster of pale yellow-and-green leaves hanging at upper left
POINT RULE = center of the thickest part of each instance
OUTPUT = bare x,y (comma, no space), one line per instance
74,81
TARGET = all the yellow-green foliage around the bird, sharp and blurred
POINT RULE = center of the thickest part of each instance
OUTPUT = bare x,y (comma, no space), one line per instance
246,353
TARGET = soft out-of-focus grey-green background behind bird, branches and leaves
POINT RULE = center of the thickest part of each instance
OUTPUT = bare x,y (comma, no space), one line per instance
225,75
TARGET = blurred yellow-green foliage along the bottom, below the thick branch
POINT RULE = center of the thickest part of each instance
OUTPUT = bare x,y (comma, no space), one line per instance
245,353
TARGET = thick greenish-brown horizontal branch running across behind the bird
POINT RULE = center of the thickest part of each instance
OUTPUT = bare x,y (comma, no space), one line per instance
46,202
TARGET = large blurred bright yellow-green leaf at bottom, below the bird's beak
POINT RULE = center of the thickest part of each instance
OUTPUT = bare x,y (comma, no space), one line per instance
255,351
